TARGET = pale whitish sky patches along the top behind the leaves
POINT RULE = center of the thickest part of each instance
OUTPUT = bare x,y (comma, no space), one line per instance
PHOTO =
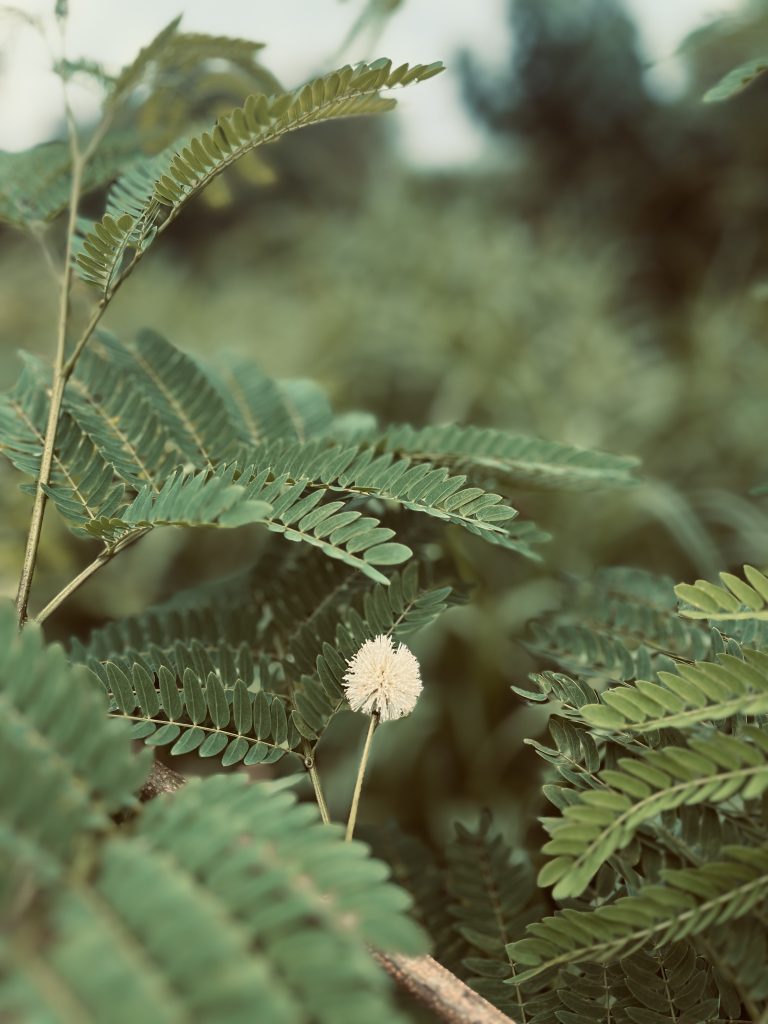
303,38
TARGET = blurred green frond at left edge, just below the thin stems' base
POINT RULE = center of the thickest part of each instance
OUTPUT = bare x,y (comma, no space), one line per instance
65,769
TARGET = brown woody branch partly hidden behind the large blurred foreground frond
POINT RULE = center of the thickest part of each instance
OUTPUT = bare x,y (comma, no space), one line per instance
423,977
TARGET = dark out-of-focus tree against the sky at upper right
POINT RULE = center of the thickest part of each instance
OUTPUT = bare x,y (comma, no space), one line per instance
672,181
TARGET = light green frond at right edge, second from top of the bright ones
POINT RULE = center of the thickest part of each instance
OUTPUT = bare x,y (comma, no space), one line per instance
707,692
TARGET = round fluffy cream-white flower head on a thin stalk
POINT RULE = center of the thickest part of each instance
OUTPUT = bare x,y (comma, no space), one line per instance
383,678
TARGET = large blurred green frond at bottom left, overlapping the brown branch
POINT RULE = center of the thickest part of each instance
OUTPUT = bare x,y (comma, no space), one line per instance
180,914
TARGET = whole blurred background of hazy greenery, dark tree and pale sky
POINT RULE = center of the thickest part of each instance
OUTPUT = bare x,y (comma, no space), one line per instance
556,237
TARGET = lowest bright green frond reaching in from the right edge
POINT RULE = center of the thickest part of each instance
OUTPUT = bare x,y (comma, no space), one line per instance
690,902
